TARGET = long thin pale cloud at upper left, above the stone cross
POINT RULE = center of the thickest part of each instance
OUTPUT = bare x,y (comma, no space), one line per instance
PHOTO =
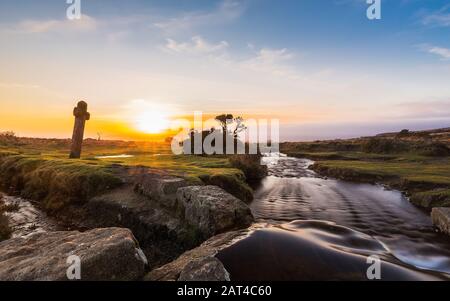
86,23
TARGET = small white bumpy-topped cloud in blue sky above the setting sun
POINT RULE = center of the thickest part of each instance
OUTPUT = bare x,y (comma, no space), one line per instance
198,45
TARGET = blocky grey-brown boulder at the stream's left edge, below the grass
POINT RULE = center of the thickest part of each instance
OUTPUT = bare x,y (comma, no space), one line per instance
212,210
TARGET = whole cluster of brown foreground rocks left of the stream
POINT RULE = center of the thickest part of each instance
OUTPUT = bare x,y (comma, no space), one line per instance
145,223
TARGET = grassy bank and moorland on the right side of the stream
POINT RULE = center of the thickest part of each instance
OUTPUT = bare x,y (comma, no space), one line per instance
417,163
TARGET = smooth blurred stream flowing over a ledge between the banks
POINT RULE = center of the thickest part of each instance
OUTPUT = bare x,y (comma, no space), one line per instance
327,229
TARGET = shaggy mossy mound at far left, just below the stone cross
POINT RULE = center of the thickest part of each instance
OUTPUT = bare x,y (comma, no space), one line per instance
52,181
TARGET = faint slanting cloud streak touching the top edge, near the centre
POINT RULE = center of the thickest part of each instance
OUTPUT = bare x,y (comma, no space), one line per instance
227,11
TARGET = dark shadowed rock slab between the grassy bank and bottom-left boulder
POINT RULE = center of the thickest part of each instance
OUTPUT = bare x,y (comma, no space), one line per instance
162,234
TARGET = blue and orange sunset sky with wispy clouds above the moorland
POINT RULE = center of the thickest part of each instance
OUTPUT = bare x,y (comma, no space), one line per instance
319,66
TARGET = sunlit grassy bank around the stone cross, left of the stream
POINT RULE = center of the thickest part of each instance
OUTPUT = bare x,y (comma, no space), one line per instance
39,169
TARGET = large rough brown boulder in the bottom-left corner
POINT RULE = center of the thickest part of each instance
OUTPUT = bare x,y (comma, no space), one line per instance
105,254
